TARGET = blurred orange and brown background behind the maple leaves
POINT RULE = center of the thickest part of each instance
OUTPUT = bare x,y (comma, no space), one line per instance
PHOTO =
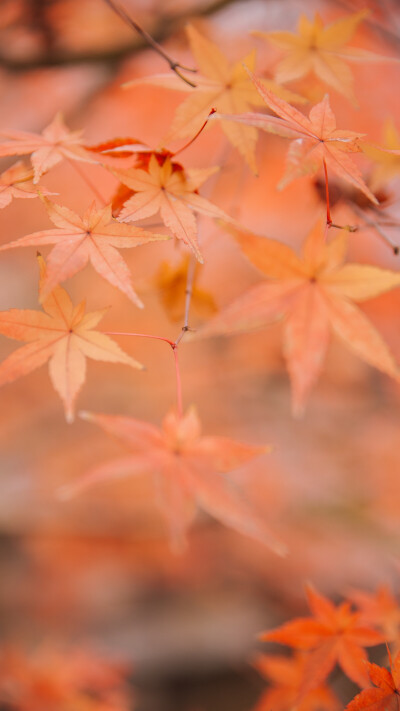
97,572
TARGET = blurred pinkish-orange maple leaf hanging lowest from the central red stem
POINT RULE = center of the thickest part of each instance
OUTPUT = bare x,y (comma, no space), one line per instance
188,469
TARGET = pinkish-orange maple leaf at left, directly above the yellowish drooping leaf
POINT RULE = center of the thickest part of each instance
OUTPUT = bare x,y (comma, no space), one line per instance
94,238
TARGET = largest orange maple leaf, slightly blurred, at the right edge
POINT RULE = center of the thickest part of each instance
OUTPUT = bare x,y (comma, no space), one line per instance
316,294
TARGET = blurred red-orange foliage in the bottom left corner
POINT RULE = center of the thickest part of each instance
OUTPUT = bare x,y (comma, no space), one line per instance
51,679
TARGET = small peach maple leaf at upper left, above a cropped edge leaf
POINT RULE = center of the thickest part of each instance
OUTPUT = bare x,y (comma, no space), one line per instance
55,144
